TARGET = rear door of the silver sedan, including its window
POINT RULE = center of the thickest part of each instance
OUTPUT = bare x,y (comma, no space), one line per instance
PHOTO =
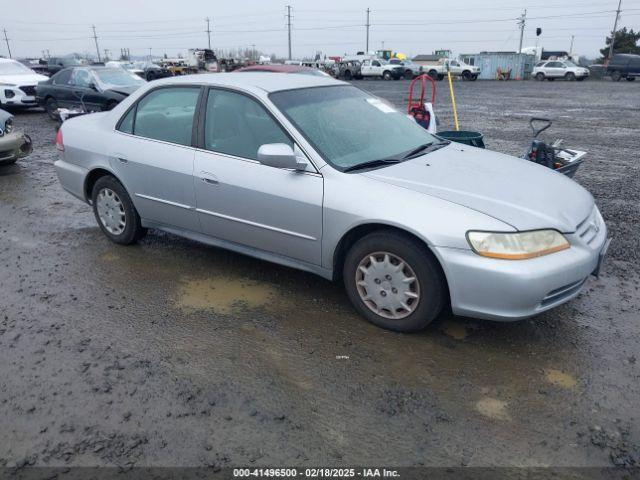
154,156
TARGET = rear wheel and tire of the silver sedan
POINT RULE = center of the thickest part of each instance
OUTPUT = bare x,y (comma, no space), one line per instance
114,202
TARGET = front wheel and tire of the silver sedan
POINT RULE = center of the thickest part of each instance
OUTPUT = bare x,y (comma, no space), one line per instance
420,264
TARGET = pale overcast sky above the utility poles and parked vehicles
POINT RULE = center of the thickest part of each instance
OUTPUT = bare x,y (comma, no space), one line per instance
333,27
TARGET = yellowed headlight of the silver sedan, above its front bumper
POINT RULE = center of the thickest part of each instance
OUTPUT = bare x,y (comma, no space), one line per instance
517,246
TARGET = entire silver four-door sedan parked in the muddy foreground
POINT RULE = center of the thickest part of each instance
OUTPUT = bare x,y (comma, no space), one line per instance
315,174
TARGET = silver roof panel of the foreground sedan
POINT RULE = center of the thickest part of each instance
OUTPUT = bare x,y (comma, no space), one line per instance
253,81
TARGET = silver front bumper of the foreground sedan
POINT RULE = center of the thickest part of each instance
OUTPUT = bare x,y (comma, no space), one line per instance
507,290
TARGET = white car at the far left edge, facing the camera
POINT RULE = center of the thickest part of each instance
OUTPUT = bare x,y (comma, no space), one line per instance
18,84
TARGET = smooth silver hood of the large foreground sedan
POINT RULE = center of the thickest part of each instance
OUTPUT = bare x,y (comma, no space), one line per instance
521,193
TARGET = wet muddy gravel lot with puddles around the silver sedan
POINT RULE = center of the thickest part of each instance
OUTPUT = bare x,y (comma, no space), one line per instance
175,353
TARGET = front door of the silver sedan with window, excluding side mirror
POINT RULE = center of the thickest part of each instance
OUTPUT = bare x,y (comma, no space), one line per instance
245,202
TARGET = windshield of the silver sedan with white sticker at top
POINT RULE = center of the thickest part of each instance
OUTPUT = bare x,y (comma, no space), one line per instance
349,127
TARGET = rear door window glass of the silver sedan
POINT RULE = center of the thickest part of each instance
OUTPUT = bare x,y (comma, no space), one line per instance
165,114
